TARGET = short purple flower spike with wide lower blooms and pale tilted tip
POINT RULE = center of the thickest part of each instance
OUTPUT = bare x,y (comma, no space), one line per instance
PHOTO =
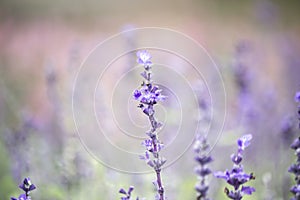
236,177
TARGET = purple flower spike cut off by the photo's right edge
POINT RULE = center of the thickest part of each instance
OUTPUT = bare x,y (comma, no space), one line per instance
295,168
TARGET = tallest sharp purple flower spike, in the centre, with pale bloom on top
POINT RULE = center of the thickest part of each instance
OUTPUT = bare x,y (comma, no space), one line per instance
148,96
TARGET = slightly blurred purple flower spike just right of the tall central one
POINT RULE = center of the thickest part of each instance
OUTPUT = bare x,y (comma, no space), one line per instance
200,148
